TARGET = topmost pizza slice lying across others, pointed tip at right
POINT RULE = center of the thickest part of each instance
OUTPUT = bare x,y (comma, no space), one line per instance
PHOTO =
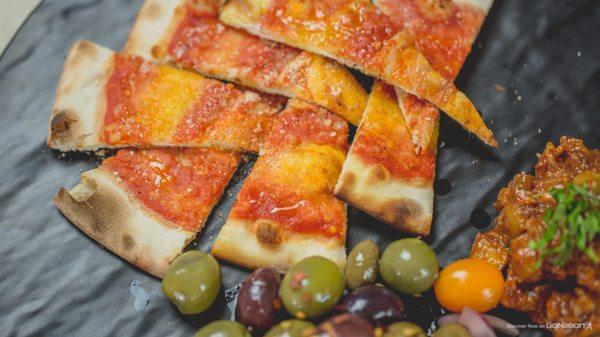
359,35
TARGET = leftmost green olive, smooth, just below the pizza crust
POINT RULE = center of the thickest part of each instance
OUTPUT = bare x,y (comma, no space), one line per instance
192,282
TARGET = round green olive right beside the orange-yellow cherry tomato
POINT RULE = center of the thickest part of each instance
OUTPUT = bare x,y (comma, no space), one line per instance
409,266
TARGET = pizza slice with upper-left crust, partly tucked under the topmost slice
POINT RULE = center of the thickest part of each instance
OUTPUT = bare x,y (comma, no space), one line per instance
188,33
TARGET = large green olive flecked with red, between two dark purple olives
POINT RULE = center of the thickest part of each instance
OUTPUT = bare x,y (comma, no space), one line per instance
311,287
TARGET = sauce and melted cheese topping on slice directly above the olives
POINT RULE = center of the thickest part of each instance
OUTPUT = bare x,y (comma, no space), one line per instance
292,182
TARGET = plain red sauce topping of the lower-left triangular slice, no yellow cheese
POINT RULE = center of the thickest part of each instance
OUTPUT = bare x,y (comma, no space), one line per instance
181,185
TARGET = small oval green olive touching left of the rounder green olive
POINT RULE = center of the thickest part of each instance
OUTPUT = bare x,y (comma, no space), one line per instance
361,267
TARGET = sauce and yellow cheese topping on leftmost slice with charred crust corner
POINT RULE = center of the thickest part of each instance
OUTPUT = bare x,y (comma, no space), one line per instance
148,104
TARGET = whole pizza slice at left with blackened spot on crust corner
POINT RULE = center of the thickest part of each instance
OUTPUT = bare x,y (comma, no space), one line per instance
111,100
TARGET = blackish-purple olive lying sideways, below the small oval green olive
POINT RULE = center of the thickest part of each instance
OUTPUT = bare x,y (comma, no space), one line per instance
377,304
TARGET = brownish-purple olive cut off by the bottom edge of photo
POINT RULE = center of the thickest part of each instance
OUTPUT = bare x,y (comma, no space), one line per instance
346,325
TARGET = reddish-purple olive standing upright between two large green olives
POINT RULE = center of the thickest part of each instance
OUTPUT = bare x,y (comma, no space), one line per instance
258,300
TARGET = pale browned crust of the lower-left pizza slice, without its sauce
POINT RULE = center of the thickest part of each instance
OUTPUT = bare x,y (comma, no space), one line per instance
101,207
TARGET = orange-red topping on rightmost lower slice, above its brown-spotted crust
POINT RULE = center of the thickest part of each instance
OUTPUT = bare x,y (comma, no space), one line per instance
384,139
